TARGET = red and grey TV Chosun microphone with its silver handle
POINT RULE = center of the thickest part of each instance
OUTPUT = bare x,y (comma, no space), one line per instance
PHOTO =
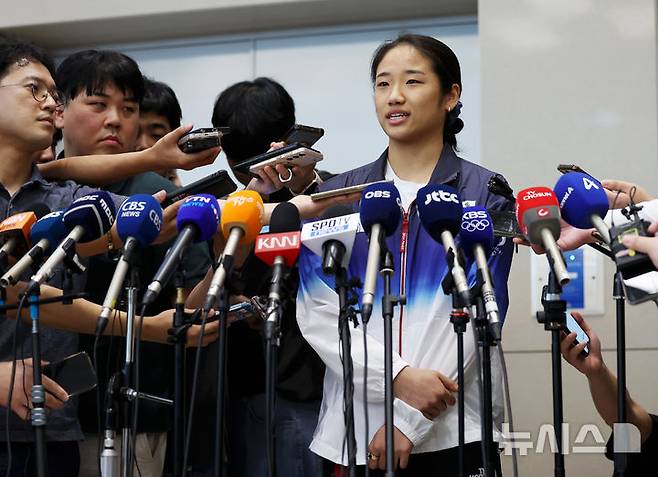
538,214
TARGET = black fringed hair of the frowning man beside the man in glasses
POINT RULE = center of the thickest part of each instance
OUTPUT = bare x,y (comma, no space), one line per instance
91,70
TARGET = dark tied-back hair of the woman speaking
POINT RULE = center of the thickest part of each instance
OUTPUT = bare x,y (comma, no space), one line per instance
444,63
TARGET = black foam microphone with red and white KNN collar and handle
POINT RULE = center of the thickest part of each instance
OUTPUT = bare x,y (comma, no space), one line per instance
279,248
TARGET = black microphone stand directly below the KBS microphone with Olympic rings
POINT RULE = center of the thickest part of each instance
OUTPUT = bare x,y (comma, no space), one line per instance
486,341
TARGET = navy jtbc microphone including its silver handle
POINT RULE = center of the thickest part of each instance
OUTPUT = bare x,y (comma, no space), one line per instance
440,210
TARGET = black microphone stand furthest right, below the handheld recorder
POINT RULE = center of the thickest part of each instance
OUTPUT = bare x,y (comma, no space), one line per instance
620,458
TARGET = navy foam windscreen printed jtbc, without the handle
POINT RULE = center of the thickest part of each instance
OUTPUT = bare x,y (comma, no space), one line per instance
440,209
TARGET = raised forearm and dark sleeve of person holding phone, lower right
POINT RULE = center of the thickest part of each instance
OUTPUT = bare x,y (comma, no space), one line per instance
603,389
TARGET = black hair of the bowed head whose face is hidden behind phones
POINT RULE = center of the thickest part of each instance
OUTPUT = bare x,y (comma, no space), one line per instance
258,113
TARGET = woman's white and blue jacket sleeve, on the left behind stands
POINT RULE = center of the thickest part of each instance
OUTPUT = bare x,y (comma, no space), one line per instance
317,316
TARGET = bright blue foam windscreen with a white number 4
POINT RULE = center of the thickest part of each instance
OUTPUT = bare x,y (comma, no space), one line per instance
580,196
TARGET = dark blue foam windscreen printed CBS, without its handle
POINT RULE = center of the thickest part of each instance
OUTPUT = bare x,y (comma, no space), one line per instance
140,217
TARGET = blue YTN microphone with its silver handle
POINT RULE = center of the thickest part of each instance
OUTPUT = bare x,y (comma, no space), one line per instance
197,221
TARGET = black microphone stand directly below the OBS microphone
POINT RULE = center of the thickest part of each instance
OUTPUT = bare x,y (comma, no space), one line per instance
388,305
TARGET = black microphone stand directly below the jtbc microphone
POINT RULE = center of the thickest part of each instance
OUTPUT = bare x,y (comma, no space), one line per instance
459,319
